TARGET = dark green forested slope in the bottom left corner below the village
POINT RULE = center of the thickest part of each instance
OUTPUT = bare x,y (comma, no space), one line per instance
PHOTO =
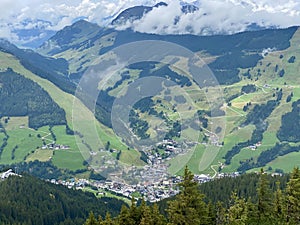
28,200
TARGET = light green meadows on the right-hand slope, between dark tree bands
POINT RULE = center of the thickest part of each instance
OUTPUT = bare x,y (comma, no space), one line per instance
234,114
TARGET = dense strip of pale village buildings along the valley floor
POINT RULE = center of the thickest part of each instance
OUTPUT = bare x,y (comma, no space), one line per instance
150,191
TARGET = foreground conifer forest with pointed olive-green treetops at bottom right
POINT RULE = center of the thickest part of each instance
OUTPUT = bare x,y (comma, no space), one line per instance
275,201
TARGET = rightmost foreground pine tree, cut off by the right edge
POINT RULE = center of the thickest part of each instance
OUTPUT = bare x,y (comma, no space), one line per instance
293,198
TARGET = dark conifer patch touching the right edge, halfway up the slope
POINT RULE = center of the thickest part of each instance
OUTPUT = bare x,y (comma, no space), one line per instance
290,125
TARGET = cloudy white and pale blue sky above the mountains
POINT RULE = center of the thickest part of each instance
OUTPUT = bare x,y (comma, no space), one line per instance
24,21
